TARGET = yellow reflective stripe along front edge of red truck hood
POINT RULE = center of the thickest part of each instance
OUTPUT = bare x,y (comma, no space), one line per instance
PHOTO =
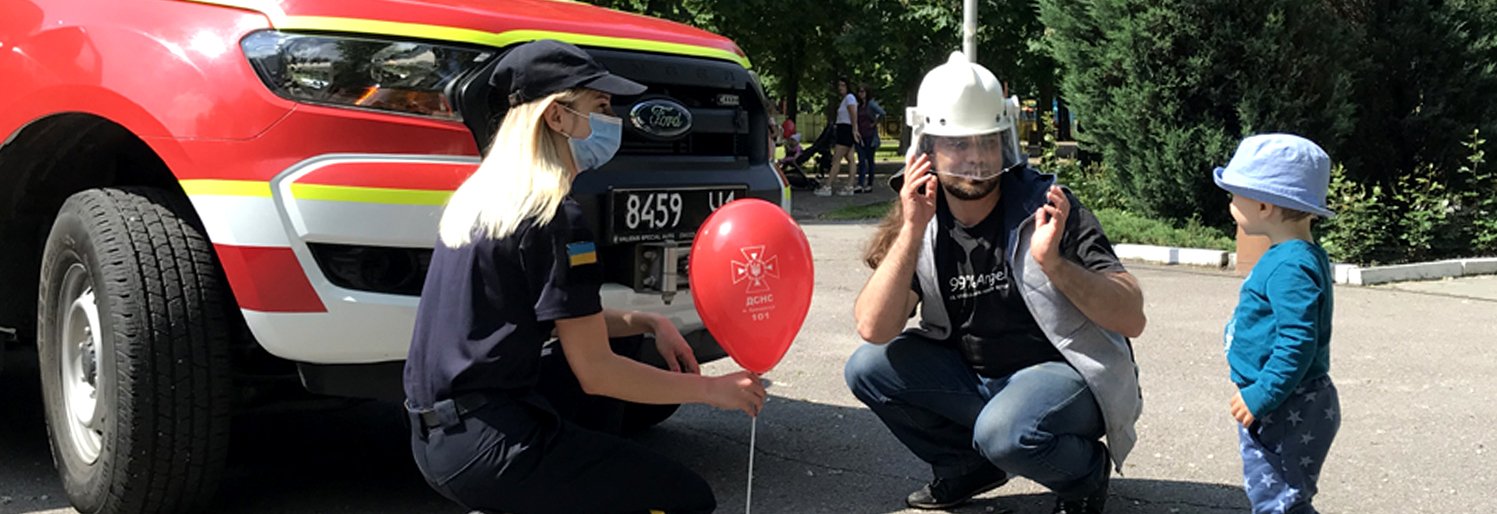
499,40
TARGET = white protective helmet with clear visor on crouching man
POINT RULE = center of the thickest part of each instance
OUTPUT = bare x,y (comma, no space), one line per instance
959,103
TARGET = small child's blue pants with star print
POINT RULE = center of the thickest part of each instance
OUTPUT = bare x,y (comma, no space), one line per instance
1284,450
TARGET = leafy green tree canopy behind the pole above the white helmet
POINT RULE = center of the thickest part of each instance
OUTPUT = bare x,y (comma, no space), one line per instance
802,49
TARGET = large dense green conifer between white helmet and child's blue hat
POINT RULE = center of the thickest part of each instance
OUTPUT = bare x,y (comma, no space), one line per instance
1170,88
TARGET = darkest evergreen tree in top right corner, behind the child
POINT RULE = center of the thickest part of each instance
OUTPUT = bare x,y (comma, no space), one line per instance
1427,83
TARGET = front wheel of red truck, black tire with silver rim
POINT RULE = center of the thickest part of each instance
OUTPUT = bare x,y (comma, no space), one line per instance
132,342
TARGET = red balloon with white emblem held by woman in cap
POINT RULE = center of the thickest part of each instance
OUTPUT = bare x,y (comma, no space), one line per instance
751,275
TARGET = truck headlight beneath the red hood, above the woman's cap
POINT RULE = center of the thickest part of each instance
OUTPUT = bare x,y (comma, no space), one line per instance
362,73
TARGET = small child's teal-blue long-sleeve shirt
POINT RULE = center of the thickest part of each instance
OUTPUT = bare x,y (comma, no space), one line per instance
1281,333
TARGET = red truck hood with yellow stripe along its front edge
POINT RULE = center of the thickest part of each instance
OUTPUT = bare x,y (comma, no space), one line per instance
495,23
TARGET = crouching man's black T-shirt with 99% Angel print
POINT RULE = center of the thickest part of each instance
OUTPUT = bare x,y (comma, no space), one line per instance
993,327
